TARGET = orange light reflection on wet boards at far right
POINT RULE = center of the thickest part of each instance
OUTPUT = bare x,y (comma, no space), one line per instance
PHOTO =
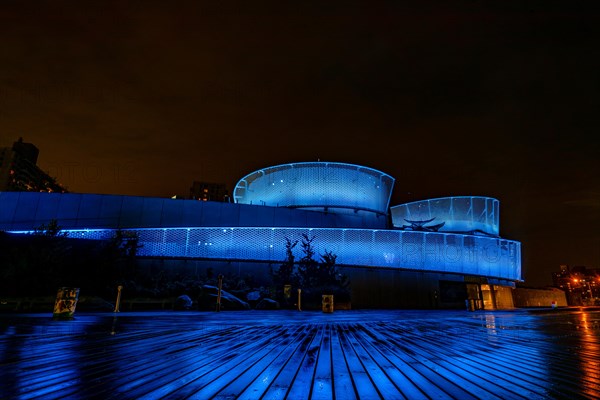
590,349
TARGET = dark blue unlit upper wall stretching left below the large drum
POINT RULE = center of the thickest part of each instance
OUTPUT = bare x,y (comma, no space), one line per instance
29,210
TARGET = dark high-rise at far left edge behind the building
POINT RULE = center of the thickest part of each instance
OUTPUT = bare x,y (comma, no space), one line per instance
19,171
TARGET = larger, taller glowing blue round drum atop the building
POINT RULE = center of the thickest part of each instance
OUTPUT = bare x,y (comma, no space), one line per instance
327,186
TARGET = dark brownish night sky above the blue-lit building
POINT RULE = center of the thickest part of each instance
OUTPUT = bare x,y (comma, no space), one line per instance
451,98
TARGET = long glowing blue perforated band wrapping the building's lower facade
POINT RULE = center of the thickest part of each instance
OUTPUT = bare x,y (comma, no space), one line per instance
423,251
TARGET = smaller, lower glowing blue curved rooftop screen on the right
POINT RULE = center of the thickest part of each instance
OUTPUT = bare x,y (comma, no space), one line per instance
464,214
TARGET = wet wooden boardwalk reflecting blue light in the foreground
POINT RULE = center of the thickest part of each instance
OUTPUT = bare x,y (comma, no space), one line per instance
309,355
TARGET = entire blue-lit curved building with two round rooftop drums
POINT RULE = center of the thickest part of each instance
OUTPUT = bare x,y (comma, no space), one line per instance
434,253
